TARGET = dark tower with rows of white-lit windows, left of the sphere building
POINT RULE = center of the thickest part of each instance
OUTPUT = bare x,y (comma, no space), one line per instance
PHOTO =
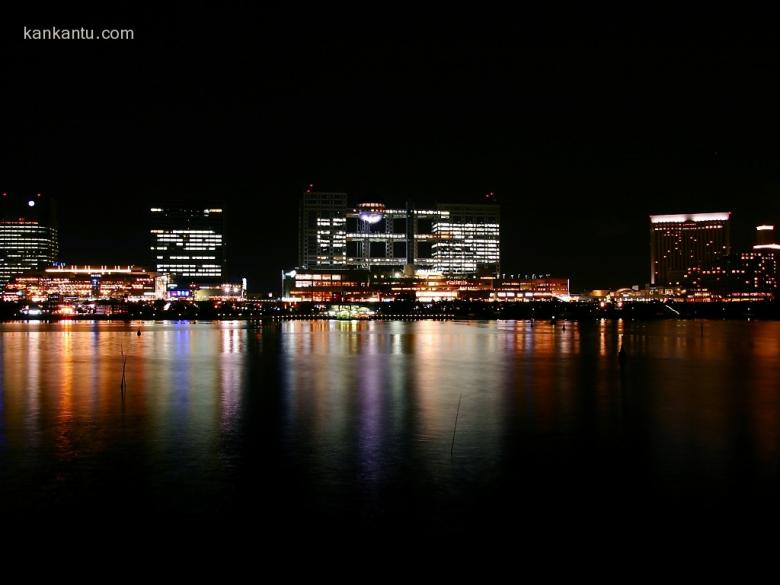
187,242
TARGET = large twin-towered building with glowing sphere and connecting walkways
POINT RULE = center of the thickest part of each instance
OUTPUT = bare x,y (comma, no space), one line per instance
453,239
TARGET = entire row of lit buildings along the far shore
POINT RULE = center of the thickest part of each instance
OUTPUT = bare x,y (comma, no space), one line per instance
358,250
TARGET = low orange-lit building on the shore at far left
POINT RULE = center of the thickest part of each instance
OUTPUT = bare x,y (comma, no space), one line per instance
82,283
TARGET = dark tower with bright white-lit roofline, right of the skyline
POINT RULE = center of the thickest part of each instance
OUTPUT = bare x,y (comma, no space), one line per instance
683,241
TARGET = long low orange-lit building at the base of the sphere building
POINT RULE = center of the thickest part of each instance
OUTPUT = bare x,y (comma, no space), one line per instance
361,285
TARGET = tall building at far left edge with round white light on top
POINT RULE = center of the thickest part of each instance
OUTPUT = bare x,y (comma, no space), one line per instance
28,234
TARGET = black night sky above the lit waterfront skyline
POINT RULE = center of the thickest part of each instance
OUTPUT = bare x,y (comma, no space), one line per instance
582,127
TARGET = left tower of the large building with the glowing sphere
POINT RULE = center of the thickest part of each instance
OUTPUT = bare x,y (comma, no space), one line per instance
321,229
